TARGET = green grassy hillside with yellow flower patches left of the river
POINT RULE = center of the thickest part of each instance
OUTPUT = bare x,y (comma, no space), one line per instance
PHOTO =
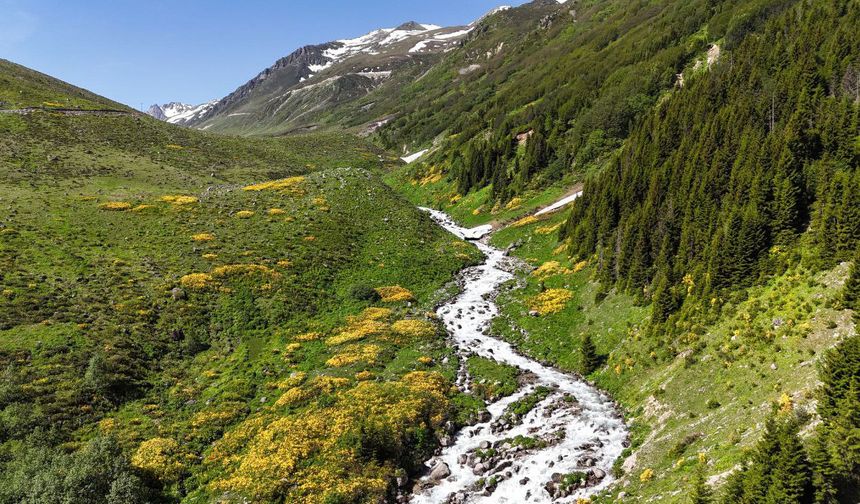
81,283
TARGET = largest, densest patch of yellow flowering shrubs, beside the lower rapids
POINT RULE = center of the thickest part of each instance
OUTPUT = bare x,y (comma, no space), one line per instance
315,457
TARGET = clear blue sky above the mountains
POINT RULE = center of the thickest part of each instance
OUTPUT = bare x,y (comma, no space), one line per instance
154,51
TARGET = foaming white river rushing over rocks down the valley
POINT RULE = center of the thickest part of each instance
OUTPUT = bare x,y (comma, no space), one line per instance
584,435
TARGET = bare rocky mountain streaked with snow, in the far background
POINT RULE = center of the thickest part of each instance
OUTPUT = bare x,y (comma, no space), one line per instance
298,89
